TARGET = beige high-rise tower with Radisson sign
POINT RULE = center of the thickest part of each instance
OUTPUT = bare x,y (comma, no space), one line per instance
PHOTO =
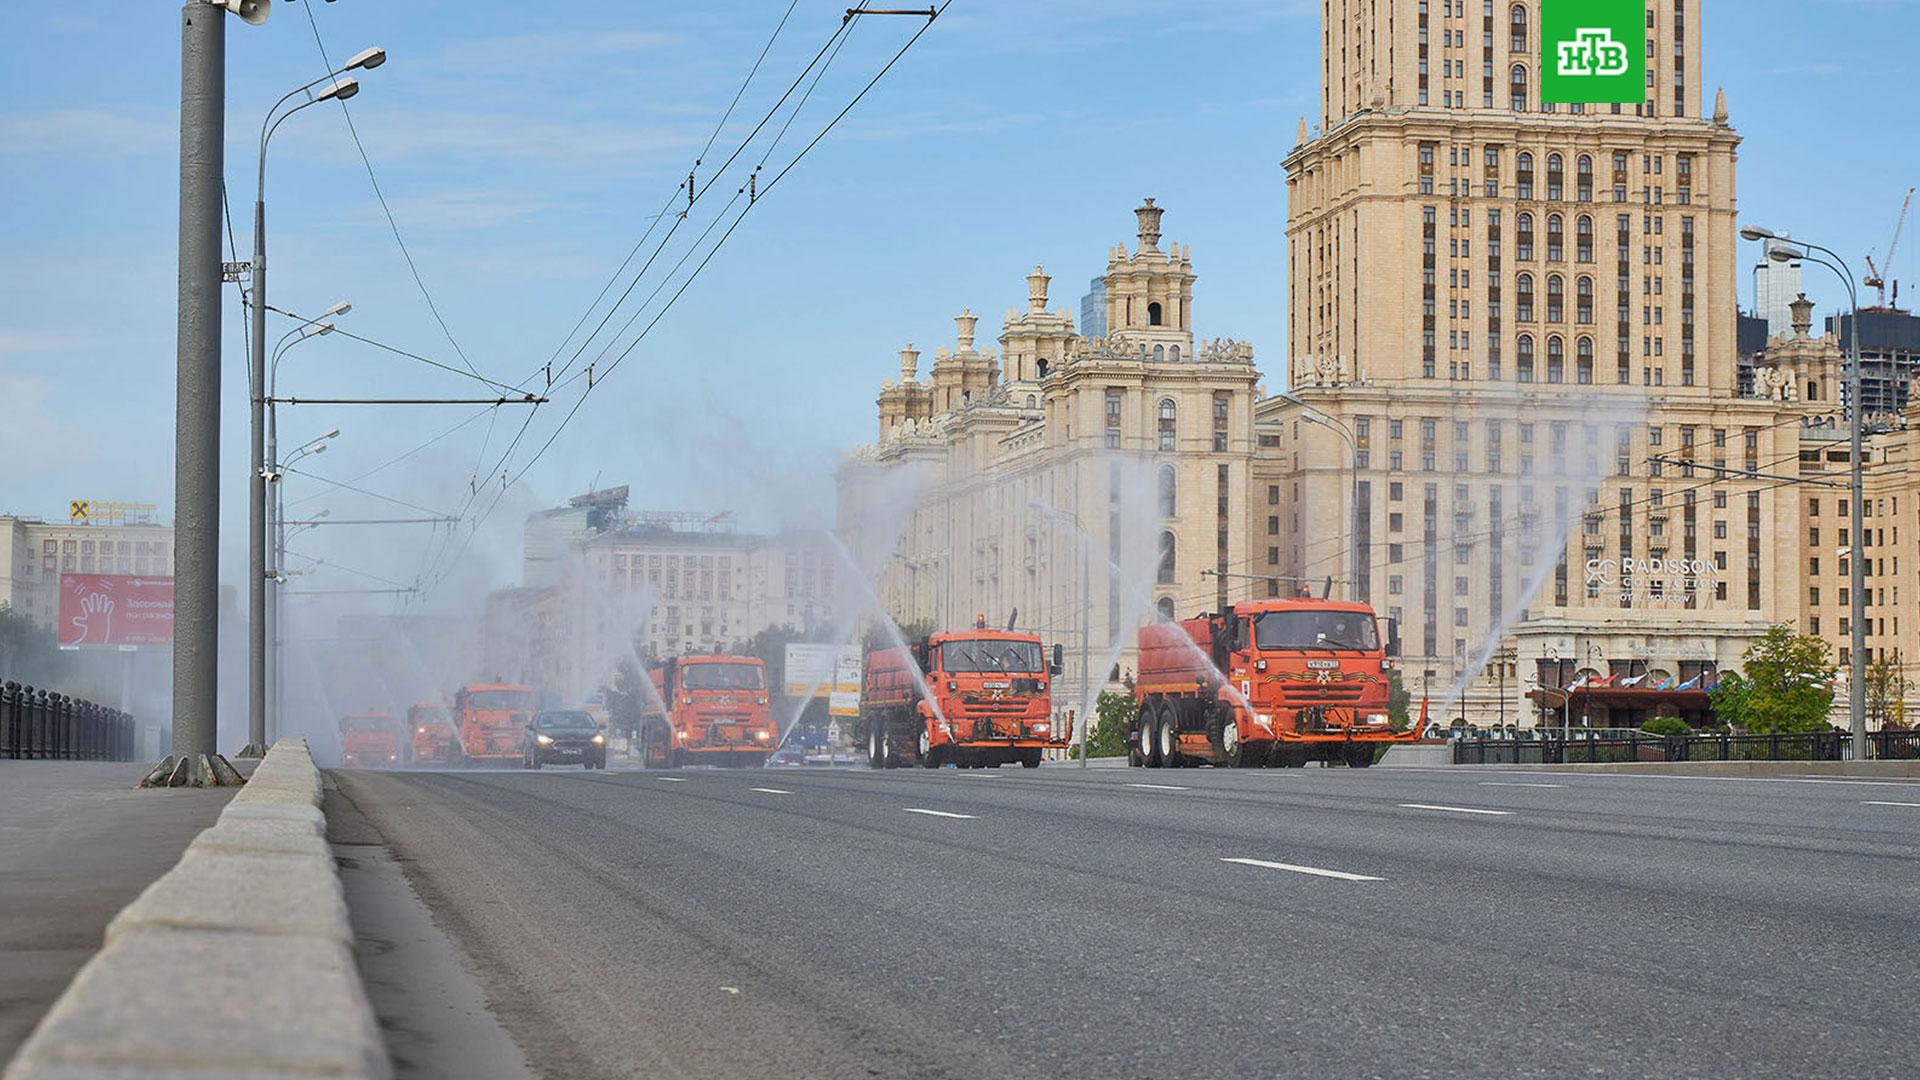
1516,324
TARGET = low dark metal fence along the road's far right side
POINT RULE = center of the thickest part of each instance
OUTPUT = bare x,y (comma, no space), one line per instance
1806,747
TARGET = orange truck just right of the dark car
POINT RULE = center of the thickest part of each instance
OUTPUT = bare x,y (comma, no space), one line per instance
717,714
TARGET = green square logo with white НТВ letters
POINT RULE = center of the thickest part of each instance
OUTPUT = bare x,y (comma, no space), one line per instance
1593,51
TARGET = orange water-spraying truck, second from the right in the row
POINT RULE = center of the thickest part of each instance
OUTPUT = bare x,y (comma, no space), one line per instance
990,702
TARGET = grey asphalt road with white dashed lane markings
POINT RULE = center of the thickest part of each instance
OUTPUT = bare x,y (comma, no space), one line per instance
1224,923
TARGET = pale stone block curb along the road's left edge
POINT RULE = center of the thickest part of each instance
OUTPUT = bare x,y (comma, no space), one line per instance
239,962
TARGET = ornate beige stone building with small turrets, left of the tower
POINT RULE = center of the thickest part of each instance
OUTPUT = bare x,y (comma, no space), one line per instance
1080,481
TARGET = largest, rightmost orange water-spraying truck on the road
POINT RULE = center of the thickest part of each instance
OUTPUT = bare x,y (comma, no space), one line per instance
1268,683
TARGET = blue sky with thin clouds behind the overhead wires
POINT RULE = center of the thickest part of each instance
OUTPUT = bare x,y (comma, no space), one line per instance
523,155
